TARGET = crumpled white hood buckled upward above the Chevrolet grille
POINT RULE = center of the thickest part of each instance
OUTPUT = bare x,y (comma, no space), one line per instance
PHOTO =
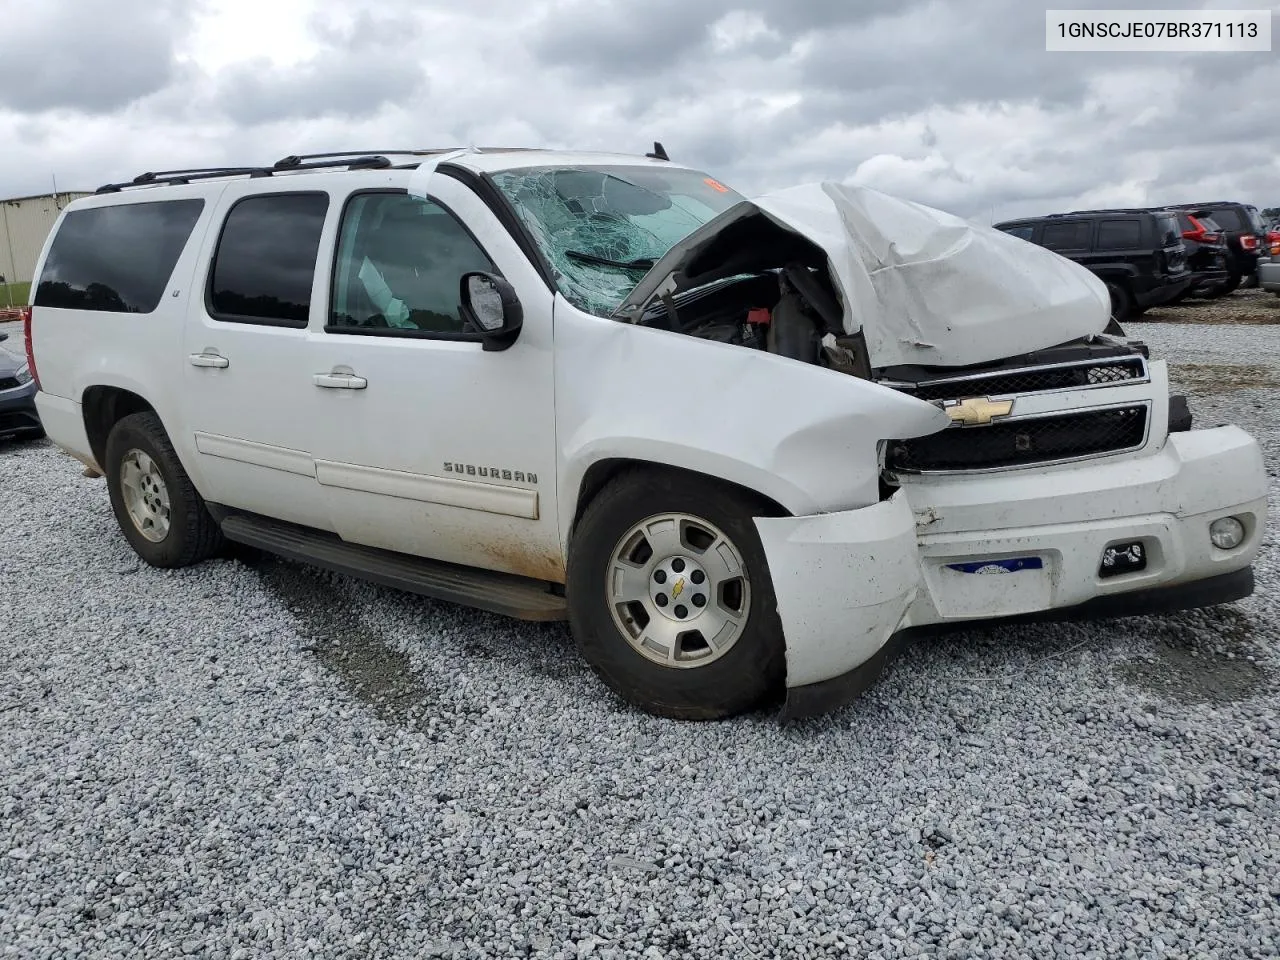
924,286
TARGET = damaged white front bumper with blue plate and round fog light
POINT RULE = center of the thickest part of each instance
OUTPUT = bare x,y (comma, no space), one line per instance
853,587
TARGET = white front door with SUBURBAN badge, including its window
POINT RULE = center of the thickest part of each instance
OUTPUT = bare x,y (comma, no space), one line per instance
426,442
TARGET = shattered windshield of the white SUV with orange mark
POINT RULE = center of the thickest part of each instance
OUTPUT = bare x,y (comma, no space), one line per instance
602,228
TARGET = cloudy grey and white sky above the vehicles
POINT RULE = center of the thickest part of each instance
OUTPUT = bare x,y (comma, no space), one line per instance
953,104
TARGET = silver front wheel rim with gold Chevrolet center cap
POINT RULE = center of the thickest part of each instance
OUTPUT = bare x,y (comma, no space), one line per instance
679,591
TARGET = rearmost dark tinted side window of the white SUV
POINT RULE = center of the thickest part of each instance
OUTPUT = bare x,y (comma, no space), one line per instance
117,259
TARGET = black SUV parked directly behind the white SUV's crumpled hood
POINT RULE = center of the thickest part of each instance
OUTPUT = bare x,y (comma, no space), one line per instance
1139,253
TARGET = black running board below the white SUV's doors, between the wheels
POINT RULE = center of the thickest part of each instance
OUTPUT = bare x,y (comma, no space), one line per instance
483,589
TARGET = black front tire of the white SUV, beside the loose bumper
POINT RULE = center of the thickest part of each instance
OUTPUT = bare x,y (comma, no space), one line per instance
698,683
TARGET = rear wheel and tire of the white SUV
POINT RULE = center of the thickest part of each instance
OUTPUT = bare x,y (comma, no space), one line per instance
141,465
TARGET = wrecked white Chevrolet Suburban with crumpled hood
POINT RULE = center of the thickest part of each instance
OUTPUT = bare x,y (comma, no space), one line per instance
744,447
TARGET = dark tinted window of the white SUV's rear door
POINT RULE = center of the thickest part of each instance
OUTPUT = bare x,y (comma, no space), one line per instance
267,260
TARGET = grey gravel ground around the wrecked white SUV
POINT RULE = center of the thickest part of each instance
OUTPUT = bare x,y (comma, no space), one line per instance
255,760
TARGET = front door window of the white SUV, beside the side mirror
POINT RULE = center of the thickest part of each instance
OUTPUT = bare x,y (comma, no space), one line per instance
400,263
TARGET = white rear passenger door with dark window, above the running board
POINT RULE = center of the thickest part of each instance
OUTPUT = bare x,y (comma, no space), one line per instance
249,390
